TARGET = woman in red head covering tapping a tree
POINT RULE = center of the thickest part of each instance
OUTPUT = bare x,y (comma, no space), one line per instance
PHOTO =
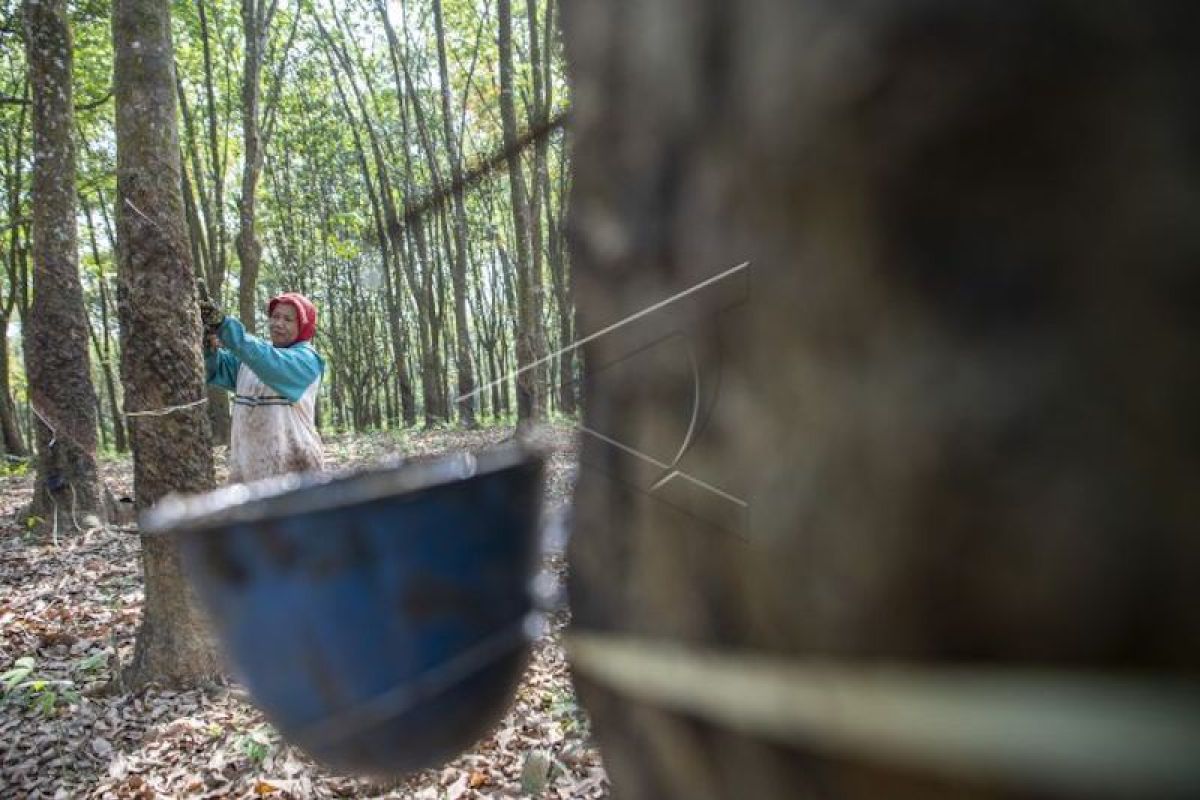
275,388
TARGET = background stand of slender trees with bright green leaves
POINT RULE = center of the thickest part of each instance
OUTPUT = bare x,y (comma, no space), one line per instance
345,123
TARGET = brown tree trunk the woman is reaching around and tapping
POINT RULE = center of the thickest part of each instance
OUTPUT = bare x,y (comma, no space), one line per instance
161,362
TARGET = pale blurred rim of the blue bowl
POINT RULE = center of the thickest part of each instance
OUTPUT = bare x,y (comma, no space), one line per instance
289,496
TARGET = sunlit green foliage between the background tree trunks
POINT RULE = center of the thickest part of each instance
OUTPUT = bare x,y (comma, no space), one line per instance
322,183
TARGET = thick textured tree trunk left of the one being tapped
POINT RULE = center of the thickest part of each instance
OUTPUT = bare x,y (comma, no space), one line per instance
57,336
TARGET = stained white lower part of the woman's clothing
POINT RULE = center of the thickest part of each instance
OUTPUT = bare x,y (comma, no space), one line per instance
271,435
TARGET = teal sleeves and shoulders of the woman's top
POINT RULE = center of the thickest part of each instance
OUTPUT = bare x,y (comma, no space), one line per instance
290,371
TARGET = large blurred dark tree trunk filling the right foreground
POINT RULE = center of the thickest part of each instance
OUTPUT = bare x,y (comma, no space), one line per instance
955,394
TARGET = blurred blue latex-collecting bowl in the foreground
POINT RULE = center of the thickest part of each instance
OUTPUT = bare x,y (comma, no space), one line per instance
379,619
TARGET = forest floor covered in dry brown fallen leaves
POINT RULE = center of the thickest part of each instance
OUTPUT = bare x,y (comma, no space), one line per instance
69,615
